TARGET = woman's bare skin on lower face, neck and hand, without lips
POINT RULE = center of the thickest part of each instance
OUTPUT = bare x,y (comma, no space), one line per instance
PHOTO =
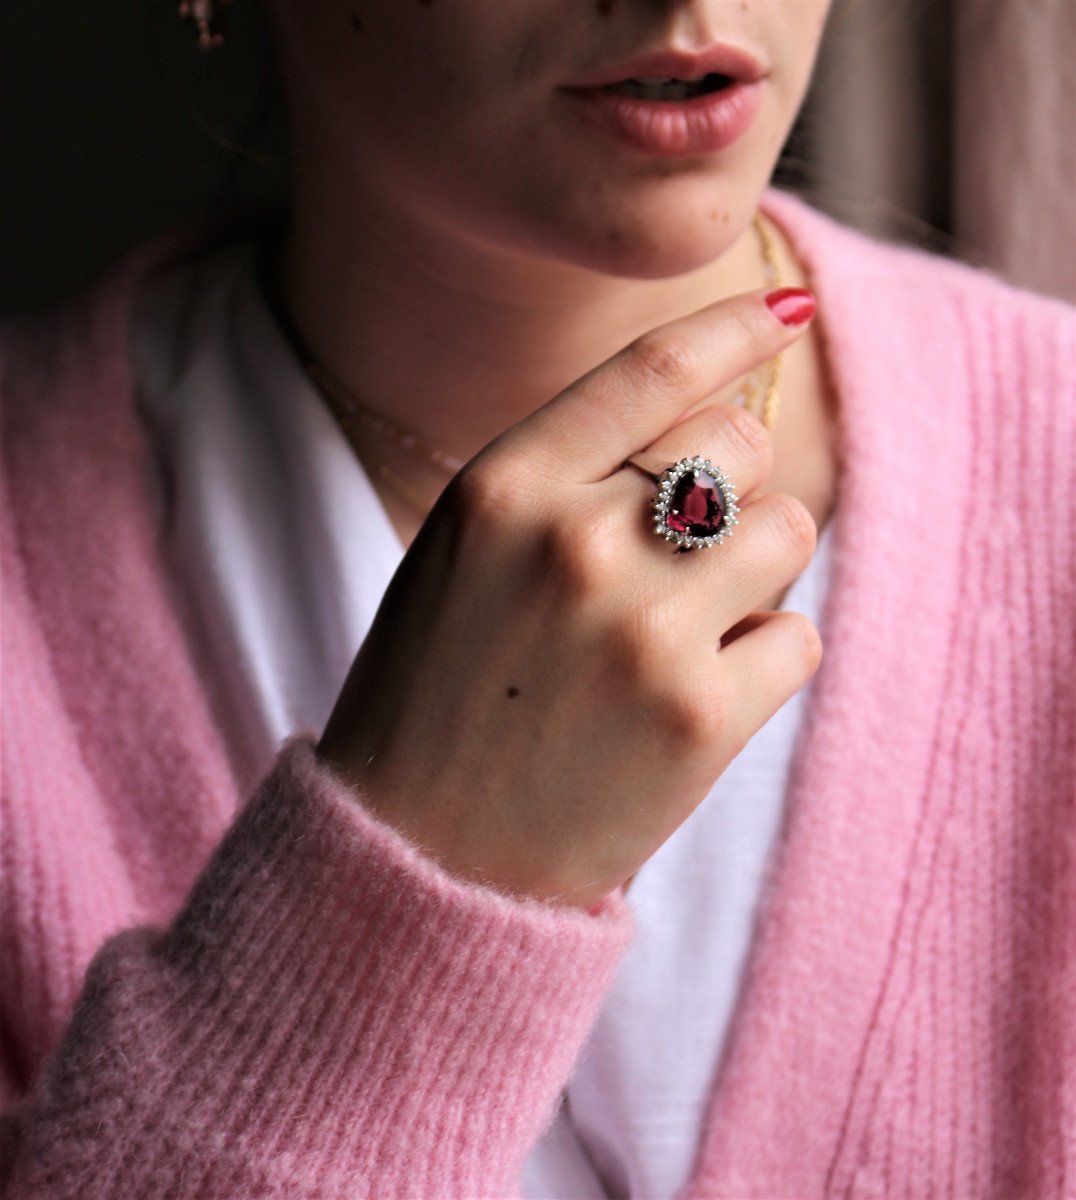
462,250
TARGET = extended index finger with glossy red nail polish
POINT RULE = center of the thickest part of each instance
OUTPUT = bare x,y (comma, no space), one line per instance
634,398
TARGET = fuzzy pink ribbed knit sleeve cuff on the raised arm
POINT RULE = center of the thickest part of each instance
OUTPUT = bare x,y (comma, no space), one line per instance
330,1015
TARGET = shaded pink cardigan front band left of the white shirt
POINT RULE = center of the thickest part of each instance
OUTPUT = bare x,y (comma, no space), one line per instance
92,556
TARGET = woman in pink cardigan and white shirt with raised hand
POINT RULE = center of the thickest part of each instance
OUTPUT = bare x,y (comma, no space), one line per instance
388,969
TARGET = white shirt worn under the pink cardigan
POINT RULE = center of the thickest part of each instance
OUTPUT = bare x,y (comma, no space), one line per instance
282,551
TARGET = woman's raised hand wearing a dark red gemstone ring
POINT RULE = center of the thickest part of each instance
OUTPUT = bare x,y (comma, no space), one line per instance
548,691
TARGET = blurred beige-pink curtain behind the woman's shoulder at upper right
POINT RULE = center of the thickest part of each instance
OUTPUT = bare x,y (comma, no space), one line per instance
952,124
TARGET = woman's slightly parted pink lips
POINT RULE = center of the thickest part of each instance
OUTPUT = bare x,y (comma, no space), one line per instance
701,125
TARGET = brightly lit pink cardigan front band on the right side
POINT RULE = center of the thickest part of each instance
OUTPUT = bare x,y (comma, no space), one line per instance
832,913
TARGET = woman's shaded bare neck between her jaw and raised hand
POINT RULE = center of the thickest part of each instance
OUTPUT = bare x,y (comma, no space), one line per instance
459,341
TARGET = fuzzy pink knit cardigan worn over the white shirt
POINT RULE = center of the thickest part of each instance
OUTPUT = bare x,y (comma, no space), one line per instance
321,1012
